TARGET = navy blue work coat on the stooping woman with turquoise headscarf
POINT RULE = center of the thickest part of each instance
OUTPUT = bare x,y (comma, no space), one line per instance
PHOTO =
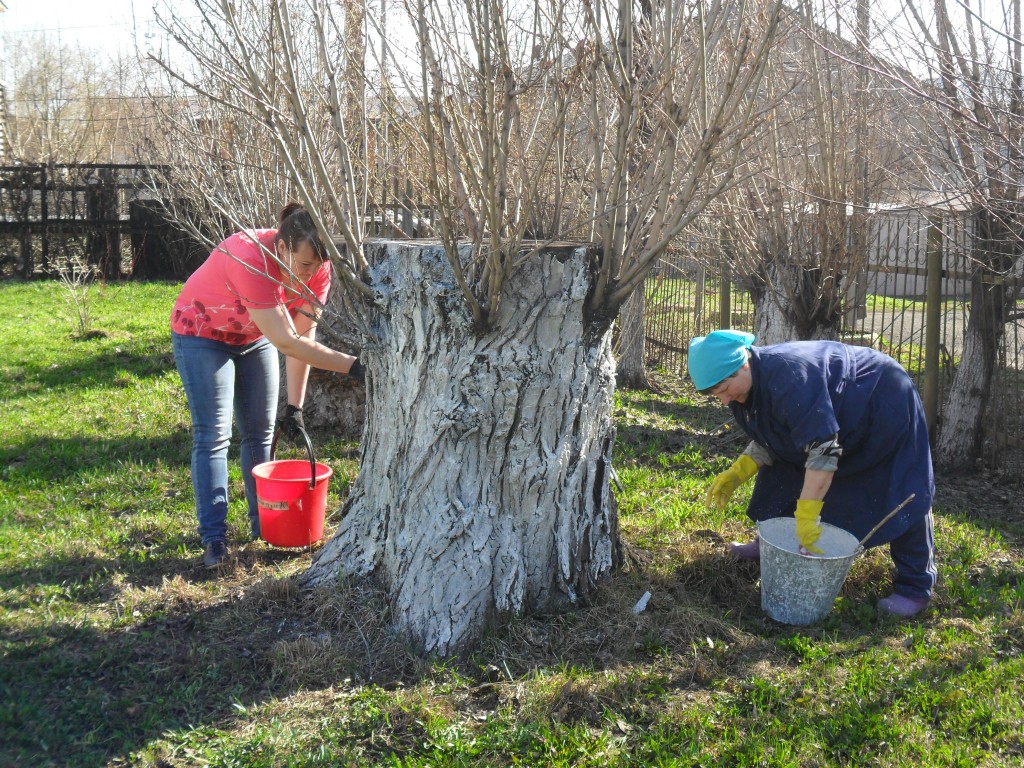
805,392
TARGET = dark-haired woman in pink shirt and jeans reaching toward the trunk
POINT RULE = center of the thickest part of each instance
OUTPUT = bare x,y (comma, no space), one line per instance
233,317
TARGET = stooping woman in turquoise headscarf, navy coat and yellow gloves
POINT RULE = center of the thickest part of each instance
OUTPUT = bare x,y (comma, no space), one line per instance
838,434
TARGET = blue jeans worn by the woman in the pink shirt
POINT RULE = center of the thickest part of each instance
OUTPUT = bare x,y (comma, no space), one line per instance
220,378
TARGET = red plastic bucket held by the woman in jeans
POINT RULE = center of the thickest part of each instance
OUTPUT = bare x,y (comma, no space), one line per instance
291,503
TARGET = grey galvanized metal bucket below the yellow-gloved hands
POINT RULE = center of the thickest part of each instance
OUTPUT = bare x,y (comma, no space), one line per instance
801,589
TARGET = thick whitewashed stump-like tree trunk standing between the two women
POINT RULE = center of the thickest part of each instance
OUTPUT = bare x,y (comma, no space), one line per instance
484,491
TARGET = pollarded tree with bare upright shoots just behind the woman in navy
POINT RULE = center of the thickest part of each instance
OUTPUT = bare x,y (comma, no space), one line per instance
832,148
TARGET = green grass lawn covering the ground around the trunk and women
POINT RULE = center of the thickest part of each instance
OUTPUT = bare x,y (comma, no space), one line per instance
119,650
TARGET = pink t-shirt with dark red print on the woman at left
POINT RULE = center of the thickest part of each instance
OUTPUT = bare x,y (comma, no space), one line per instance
239,276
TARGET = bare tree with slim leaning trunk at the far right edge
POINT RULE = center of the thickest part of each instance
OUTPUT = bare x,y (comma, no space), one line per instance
974,84
